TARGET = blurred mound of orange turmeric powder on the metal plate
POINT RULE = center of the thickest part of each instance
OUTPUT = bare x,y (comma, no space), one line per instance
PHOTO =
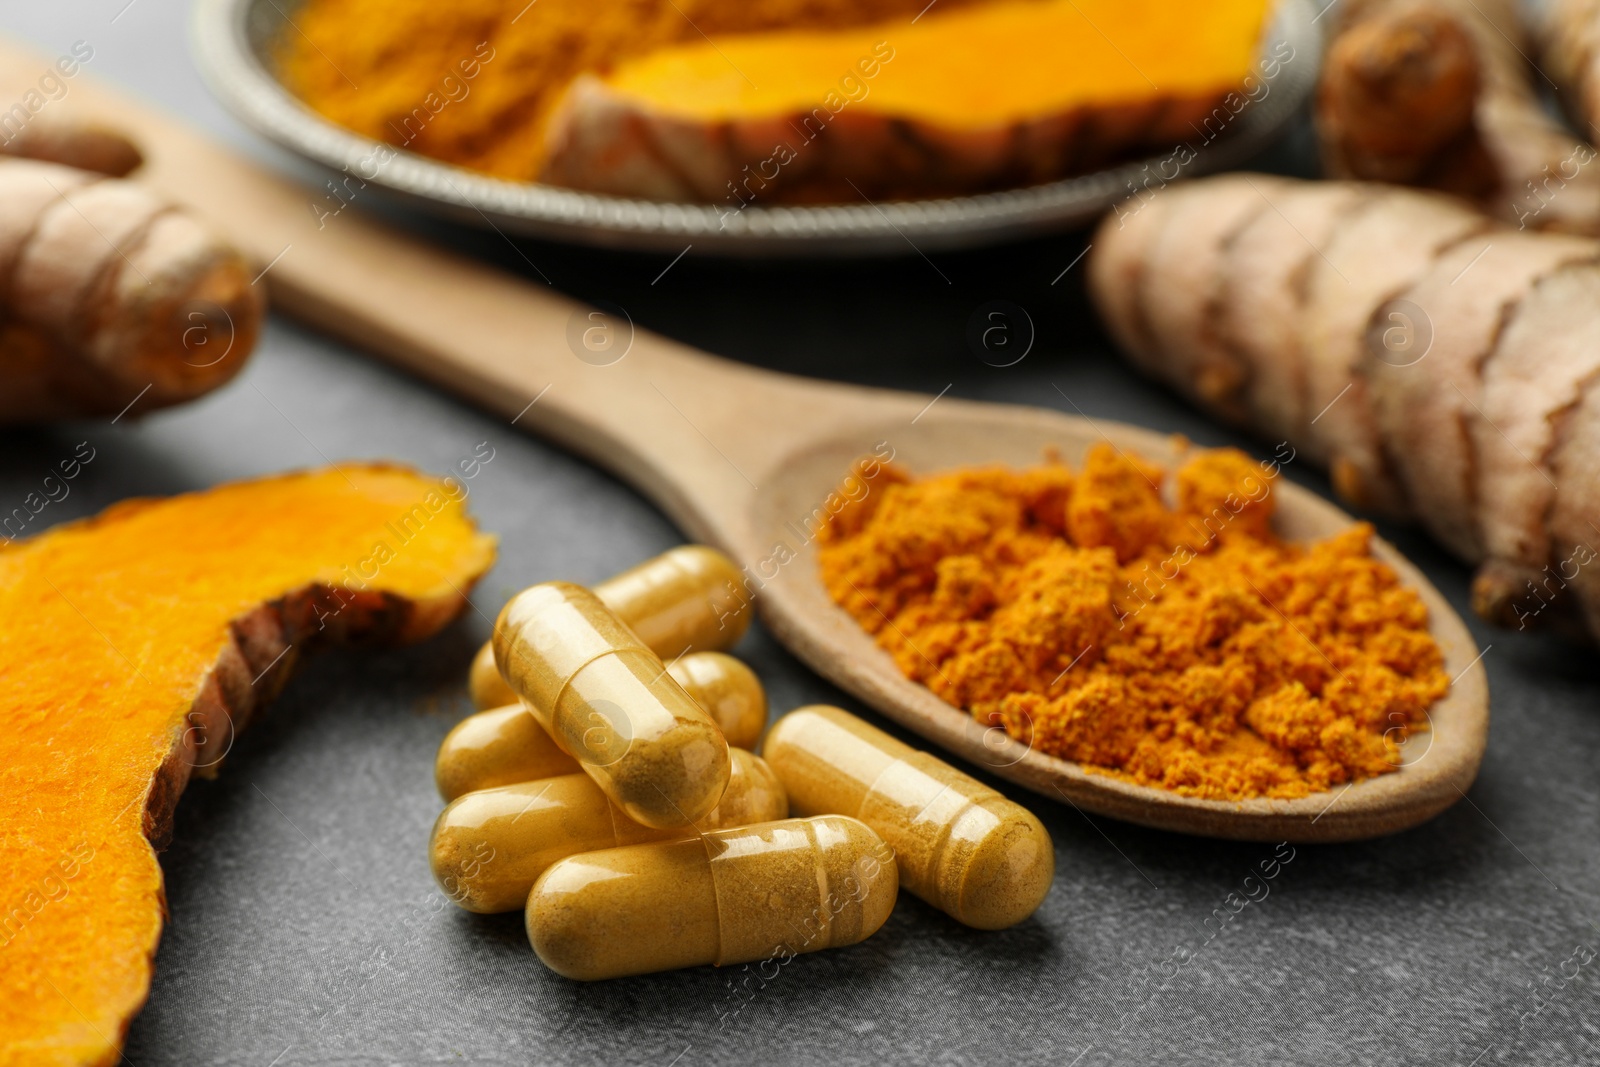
474,82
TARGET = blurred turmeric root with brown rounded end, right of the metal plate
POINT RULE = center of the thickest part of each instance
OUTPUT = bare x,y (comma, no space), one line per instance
1439,94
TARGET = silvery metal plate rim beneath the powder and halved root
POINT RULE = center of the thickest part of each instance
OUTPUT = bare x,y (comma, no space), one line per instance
233,49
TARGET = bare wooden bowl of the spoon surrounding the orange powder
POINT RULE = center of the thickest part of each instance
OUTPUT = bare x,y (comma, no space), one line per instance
1438,765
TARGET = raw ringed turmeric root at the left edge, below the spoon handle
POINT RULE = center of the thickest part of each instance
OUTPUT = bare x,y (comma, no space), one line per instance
111,300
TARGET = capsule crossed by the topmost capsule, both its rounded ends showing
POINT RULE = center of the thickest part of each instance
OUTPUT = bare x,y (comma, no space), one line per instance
505,746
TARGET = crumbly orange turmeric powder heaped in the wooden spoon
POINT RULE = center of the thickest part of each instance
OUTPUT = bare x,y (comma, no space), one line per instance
1183,647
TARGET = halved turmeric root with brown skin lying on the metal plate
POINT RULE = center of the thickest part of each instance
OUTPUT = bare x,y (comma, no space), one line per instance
999,95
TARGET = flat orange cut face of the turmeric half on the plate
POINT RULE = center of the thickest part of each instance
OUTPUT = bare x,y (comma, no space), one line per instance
983,66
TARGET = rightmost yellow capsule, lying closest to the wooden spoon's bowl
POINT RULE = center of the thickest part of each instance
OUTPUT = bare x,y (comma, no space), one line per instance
961,845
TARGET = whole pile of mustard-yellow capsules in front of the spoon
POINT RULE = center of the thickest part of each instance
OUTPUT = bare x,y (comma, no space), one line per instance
615,796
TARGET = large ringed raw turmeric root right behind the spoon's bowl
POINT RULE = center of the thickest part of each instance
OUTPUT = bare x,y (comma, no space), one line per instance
1442,366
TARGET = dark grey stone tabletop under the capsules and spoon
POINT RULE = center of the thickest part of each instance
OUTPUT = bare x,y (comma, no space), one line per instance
306,930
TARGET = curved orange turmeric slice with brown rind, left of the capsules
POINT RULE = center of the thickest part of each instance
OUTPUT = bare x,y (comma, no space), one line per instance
137,645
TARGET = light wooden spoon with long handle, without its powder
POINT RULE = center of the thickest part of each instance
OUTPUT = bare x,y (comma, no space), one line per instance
743,458
